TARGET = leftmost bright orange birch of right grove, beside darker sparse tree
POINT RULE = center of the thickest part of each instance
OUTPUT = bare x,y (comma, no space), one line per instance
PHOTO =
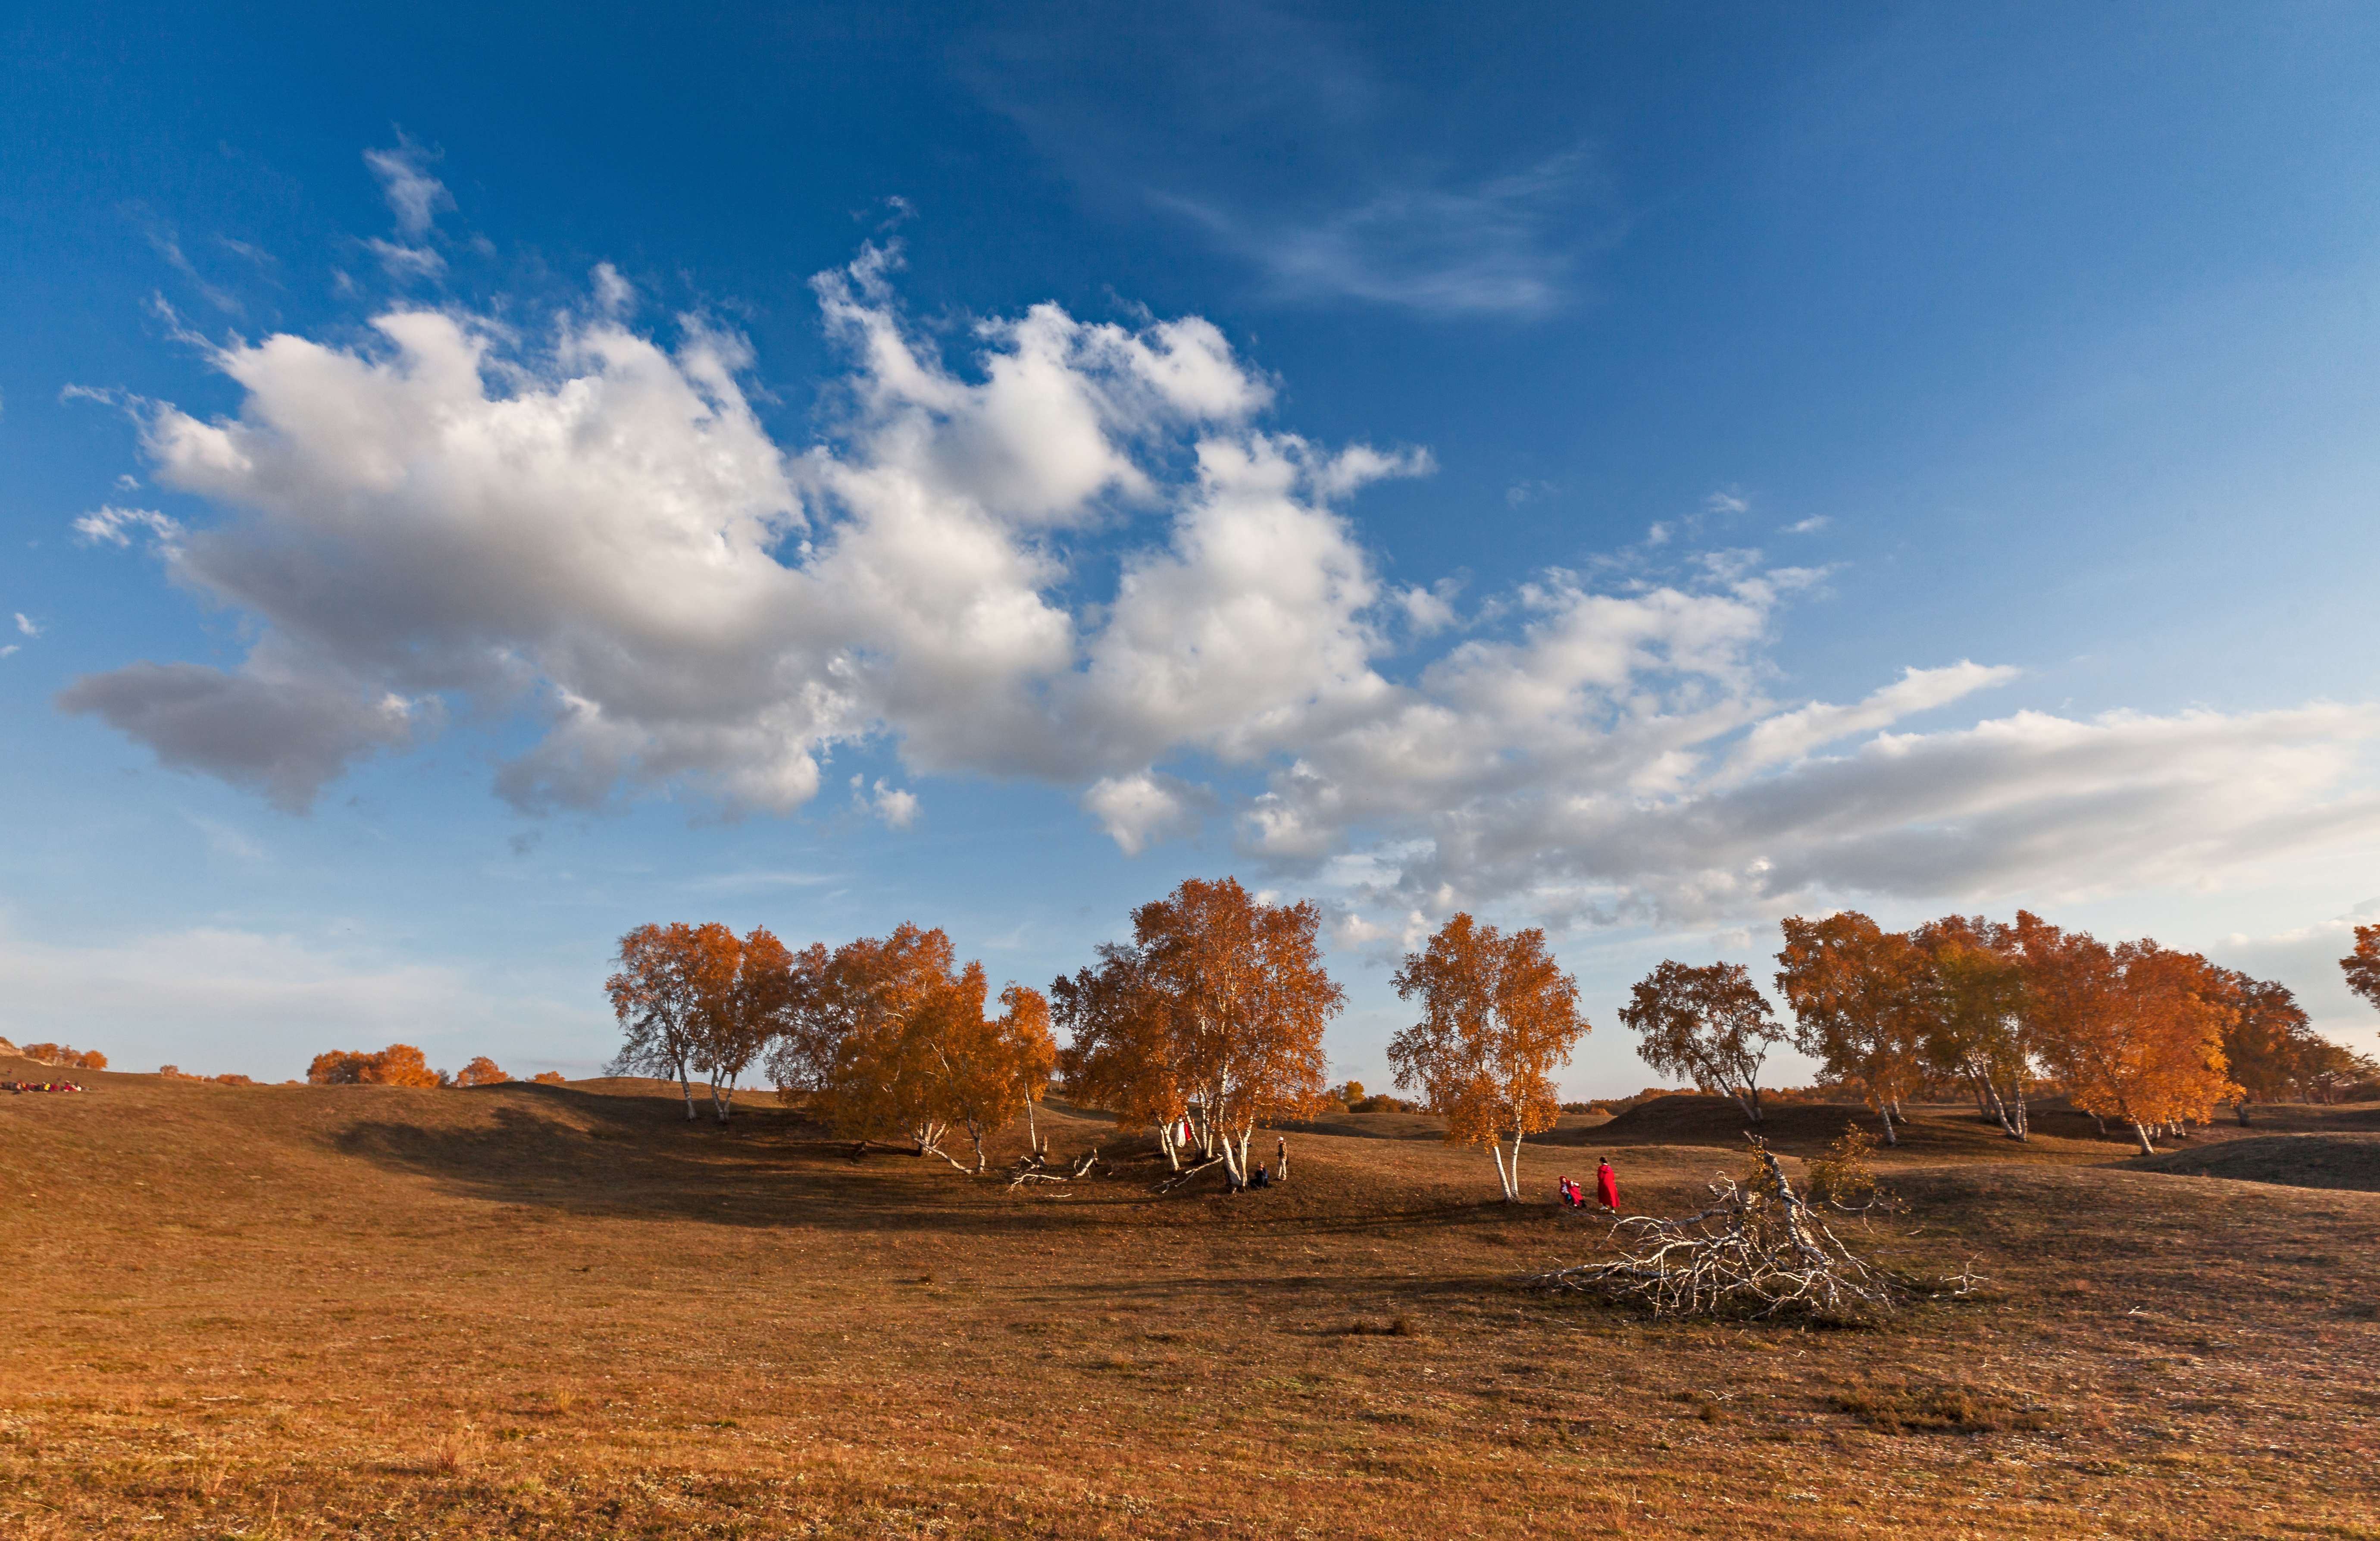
1855,992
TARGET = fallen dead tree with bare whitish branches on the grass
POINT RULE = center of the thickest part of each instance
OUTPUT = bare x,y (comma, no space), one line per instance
1758,1252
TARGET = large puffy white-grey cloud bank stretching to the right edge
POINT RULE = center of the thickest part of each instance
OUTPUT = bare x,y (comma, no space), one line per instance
596,530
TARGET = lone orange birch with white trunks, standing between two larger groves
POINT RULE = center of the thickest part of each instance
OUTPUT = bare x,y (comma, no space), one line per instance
1498,1016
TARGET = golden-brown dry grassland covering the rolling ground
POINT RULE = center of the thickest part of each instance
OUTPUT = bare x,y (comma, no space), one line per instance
565,1311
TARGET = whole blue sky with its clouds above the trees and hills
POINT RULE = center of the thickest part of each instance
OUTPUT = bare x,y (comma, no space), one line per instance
477,482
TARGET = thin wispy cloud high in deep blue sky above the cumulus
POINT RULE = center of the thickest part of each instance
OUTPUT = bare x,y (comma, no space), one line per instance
1267,132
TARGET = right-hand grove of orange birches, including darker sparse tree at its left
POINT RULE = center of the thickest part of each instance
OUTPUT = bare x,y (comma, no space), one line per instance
2131,1030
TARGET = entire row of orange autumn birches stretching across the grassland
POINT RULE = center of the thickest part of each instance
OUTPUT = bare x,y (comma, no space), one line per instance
1208,1025
